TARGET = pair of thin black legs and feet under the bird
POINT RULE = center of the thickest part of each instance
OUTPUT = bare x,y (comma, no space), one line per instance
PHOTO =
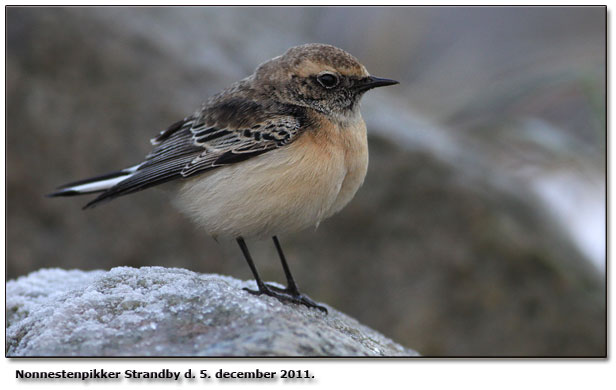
289,294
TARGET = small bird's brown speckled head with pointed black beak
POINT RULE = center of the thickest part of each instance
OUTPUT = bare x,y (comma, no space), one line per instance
322,77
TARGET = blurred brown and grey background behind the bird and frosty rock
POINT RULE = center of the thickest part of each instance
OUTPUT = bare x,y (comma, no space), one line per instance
480,228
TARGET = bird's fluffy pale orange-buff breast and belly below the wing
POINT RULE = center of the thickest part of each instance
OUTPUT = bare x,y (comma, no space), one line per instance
284,190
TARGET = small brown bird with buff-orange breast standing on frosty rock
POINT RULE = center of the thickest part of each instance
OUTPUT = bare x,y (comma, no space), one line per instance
276,152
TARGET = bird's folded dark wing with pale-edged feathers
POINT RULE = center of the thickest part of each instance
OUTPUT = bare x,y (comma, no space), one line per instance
206,141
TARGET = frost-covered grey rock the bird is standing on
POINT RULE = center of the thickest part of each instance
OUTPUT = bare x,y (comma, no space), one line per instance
154,311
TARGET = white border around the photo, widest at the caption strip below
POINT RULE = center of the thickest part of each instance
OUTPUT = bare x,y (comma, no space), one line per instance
342,373
